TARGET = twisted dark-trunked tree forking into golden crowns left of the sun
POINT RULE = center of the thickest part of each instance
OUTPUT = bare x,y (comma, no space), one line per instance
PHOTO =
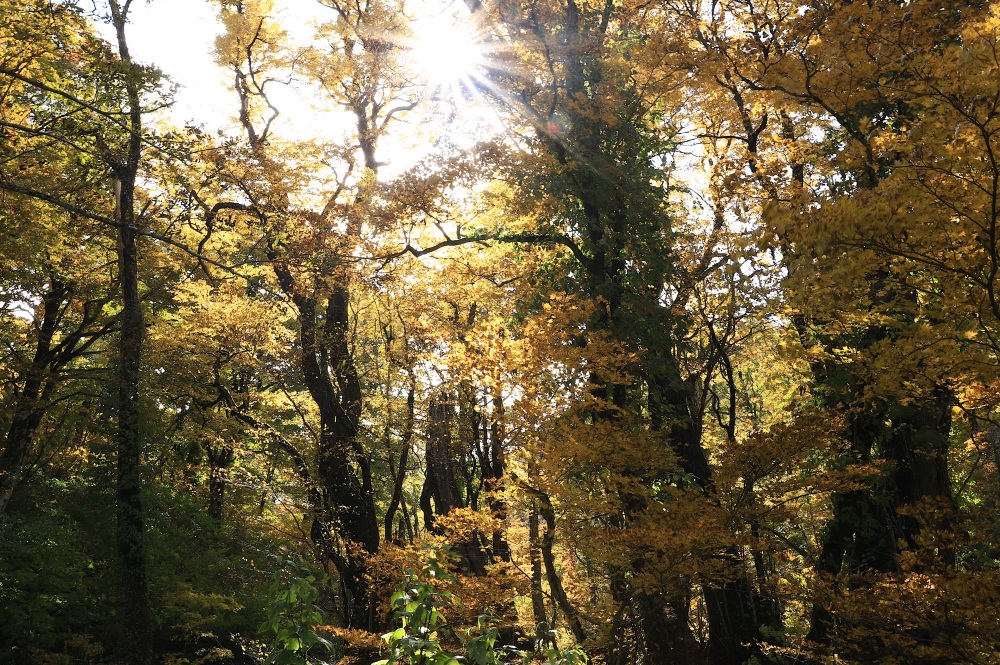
357,73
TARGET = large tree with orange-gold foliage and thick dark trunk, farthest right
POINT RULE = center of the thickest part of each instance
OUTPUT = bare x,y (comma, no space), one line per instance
822,105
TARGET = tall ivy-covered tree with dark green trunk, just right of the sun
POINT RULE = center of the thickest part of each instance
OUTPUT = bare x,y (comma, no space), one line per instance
604,139
